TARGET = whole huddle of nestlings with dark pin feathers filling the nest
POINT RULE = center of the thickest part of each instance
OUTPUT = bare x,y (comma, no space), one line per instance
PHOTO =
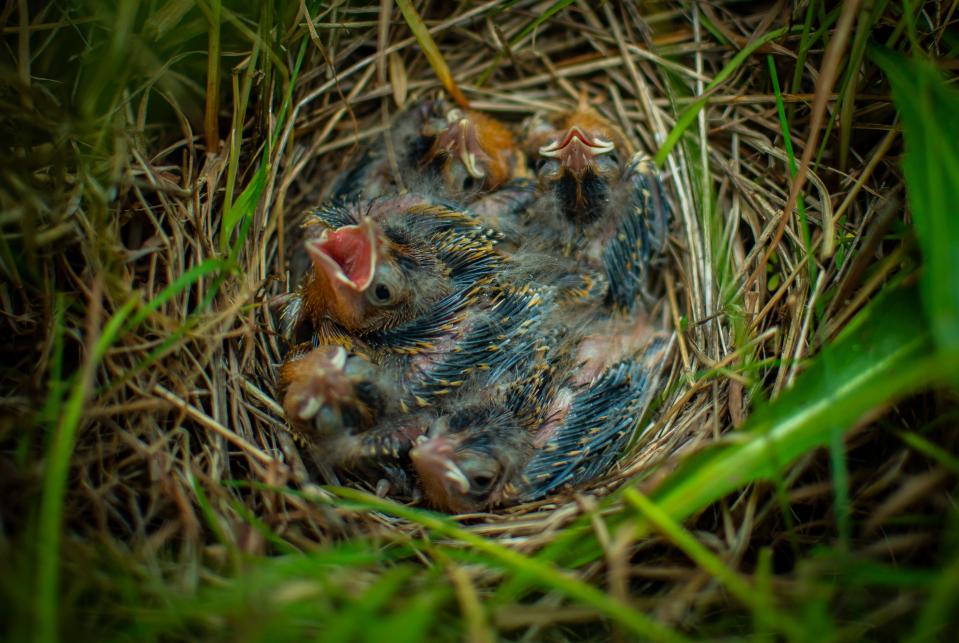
472,328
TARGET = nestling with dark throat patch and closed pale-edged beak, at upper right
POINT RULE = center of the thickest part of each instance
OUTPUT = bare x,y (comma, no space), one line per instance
599,202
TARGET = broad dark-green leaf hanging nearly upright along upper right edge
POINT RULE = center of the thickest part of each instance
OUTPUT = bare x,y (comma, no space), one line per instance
930,132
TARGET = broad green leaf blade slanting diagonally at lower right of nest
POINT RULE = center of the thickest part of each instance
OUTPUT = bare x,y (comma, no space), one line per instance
882,356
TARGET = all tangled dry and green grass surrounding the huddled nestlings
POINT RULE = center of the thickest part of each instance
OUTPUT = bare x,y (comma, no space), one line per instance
796,480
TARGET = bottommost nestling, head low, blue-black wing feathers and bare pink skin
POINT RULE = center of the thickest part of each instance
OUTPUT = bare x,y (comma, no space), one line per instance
568,426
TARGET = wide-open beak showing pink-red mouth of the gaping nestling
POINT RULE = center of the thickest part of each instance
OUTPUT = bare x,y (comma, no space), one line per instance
346,256
